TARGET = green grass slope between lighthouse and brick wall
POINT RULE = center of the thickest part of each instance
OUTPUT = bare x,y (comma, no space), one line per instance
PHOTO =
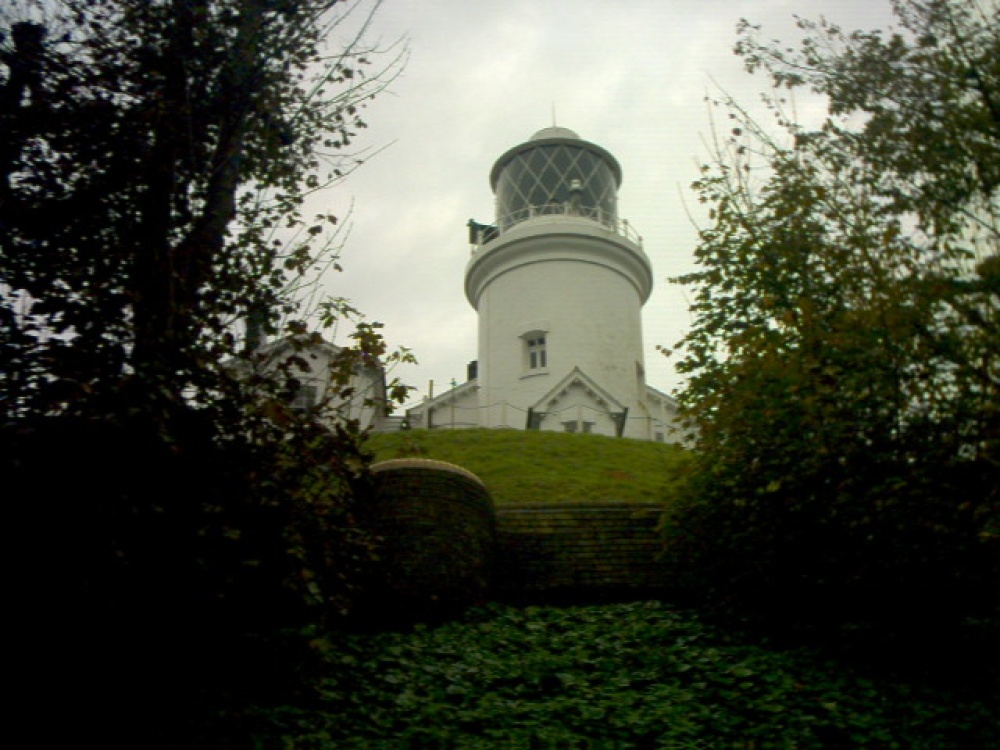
519,466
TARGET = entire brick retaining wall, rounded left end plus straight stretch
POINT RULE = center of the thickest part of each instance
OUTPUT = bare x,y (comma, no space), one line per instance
446,542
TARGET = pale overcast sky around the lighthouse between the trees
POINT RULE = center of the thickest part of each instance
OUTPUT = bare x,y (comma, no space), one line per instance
483,76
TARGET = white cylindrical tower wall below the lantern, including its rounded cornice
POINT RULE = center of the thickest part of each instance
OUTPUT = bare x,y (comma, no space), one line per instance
580,284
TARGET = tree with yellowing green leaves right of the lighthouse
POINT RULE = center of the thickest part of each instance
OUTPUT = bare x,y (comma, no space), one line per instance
844,380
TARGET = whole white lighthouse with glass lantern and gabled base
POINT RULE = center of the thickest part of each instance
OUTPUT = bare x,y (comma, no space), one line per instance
558,282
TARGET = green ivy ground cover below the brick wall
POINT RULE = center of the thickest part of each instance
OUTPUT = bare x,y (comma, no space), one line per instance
638,675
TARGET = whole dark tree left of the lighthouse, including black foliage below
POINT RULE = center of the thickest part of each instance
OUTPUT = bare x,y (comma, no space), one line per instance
155,158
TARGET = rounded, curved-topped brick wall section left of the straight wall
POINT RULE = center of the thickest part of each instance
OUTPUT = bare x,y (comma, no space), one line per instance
438,528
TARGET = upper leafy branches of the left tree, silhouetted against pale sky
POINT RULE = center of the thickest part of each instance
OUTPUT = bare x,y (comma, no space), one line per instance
151,152
